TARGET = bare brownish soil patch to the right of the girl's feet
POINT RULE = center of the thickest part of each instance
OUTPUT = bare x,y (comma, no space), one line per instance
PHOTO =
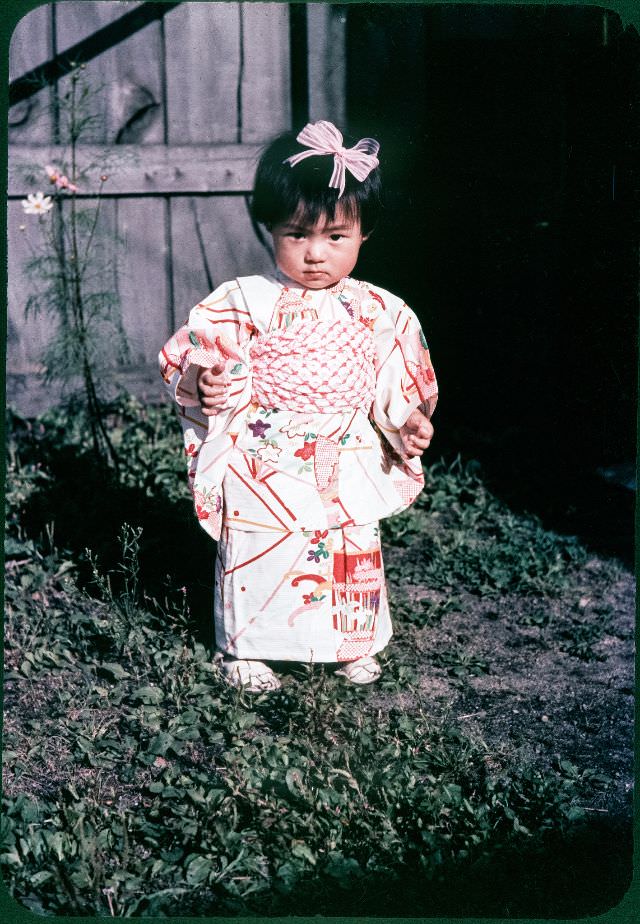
529,701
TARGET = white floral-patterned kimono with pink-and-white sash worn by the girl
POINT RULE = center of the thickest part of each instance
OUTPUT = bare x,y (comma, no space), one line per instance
292,476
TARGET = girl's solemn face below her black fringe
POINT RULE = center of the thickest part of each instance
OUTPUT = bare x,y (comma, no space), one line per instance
317,256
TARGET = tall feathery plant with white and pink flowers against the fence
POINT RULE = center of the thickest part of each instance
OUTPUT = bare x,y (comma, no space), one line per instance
73,261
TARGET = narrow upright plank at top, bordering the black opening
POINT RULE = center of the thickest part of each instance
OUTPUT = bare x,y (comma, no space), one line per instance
326,38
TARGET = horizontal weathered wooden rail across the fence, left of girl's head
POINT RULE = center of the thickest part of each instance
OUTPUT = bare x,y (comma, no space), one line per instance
176,169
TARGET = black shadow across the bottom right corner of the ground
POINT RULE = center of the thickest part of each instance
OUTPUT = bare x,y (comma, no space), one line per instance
581,873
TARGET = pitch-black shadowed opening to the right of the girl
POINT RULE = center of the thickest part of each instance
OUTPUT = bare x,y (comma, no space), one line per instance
507,135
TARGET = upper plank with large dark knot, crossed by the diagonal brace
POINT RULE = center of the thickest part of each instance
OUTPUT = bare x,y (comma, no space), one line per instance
129,104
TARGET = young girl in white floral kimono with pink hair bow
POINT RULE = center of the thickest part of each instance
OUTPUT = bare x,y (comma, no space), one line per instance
305,400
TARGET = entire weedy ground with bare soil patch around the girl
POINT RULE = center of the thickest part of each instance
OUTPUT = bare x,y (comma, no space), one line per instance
489,772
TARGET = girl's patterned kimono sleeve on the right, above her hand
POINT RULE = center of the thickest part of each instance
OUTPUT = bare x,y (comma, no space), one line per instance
405,379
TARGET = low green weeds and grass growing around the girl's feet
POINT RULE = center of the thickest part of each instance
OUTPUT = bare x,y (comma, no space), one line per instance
138,783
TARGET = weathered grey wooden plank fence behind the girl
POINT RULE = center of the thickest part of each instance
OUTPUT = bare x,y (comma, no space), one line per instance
186,105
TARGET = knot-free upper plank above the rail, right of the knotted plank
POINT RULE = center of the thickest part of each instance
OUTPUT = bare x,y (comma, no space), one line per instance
203,70
